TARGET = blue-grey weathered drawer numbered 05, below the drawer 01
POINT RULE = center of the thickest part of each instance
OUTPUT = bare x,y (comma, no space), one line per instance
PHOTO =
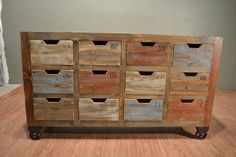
52,81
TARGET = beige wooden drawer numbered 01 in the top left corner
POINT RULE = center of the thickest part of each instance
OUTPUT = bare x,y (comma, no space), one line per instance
51,52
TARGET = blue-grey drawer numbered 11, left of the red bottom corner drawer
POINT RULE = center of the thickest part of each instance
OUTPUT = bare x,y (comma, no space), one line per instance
143,109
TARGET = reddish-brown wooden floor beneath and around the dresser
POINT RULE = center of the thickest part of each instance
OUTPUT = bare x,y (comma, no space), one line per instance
221,140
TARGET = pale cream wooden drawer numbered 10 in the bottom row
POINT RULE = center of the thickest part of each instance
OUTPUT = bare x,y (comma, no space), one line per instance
106,109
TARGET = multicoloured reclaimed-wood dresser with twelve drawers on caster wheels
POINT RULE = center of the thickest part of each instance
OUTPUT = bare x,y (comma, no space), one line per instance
119,80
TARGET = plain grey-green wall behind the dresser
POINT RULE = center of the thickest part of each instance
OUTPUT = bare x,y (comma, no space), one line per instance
173,17
